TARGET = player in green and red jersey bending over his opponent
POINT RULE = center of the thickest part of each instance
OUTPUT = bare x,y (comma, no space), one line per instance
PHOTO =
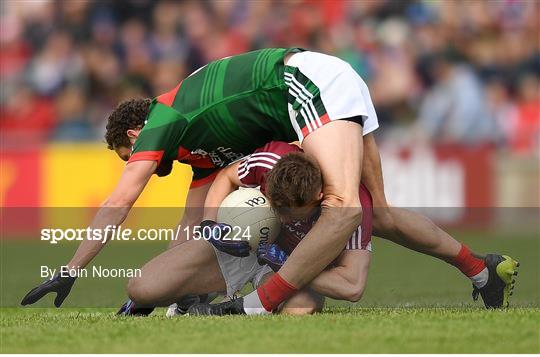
232,106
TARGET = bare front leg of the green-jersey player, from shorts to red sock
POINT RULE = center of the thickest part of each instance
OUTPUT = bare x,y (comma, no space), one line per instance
337,147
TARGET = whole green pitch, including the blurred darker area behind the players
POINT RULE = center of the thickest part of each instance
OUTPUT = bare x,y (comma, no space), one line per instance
413,304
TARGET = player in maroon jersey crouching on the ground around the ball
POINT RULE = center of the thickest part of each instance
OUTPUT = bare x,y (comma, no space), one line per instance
230,266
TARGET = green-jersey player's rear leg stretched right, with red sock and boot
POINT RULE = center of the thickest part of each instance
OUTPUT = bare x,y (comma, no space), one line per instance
491,275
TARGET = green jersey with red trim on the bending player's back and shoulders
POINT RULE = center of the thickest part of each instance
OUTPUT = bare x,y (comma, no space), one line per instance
219,114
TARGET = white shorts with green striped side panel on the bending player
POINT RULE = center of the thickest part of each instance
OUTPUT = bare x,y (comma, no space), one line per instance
324,88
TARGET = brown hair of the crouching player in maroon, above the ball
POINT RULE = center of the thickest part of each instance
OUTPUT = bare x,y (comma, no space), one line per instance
294,181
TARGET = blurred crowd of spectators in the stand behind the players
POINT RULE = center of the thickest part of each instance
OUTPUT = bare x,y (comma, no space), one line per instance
447,71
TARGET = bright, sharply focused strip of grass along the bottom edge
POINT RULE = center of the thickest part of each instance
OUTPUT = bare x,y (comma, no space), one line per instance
361,330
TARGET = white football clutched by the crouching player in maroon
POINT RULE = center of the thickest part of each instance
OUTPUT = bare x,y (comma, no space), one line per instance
250,216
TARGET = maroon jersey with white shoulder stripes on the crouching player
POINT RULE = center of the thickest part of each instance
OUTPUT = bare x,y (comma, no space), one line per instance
252,173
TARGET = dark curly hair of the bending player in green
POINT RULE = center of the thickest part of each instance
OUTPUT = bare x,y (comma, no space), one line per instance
129,114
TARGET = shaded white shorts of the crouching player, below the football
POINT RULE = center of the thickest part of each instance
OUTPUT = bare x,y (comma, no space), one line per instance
237,271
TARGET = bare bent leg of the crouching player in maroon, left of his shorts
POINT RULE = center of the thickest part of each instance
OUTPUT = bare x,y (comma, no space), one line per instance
190,268
